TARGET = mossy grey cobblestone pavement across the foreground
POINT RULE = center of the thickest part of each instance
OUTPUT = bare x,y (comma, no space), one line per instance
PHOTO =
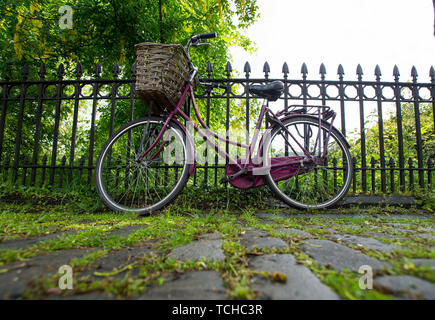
270,256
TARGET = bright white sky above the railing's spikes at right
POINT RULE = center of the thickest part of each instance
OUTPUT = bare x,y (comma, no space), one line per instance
369,32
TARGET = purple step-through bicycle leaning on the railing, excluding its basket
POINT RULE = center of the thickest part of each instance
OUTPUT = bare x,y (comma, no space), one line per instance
301,156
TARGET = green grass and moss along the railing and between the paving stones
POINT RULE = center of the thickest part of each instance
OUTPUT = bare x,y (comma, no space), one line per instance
196,212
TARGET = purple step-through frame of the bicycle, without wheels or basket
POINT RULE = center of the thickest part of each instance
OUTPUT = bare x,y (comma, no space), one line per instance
256,165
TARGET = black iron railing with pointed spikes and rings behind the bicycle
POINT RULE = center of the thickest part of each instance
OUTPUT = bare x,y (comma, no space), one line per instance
50,134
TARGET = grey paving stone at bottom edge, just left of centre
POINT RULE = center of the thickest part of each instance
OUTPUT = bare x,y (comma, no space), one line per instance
192,285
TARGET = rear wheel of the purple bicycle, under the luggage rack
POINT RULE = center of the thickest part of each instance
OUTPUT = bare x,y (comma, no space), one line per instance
313,185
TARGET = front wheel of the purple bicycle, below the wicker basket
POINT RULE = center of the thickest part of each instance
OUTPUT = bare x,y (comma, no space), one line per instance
147,185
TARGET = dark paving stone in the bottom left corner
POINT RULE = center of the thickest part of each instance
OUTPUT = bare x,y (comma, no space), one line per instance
20,275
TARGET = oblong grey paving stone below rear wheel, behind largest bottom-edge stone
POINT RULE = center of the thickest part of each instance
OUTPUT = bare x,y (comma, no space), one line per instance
338,256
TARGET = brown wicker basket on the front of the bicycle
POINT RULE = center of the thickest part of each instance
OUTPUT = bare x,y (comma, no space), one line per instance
162,71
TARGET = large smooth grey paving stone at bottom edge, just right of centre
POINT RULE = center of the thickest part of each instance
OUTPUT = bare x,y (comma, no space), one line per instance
301,283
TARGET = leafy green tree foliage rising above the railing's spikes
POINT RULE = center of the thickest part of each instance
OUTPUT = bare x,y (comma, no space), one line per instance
106,31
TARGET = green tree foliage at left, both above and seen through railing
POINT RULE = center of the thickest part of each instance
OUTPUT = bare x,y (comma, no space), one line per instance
106,31
